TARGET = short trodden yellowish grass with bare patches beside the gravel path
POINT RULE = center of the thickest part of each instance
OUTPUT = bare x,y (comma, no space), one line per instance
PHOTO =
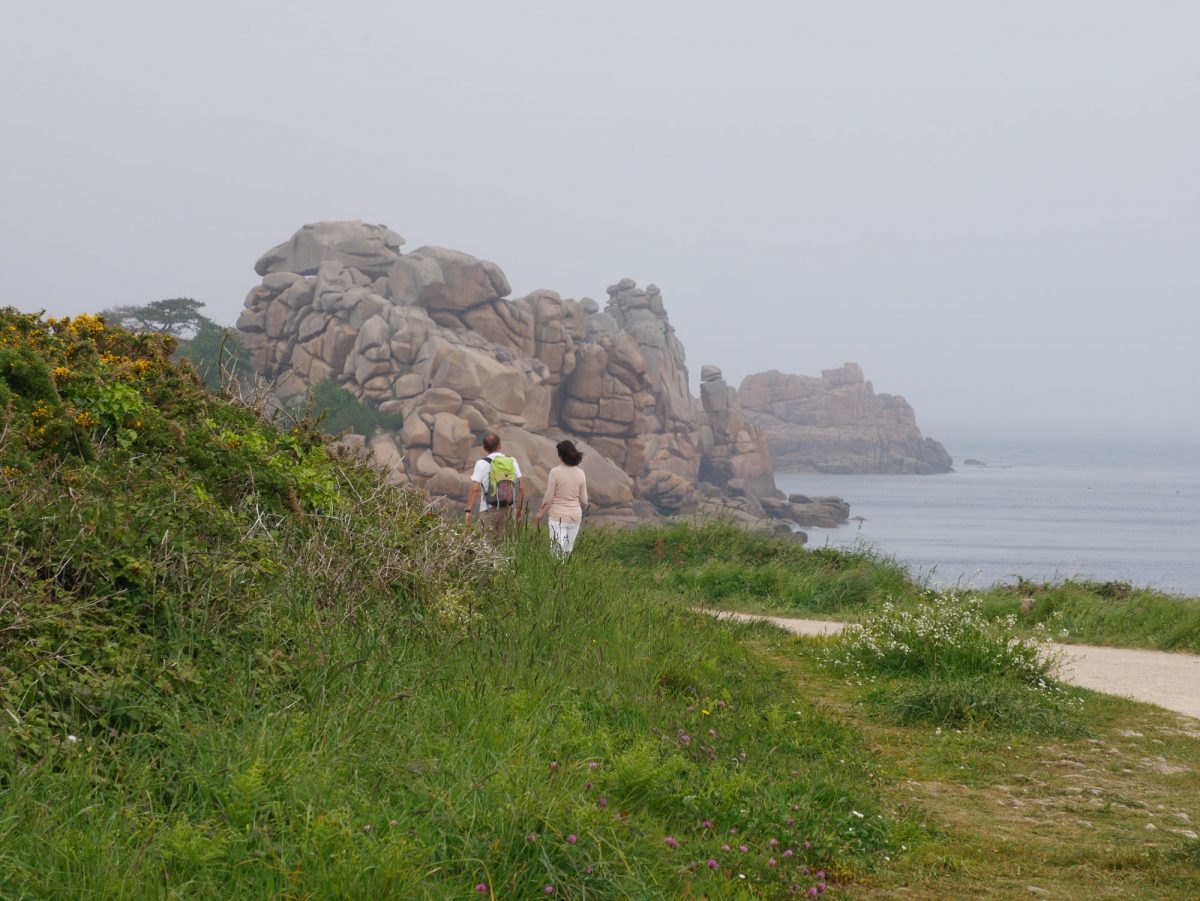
1013,813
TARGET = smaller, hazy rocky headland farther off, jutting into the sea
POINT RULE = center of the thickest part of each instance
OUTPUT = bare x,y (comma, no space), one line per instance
837,424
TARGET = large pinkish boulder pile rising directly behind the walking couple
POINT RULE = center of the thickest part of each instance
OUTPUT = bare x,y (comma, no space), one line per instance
434,337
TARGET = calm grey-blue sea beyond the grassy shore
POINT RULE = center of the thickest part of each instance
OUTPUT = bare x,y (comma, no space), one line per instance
1043,513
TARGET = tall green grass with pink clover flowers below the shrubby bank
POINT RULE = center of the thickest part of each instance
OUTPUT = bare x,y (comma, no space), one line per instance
572,731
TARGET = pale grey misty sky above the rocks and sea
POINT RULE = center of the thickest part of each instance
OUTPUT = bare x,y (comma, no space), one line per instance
994,208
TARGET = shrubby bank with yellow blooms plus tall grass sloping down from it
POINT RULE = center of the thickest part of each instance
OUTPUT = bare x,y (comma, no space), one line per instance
235,665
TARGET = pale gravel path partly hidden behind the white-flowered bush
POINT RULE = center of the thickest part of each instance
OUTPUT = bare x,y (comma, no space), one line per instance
1171,681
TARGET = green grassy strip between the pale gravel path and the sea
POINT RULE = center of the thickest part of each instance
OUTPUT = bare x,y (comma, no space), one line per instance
721,566
